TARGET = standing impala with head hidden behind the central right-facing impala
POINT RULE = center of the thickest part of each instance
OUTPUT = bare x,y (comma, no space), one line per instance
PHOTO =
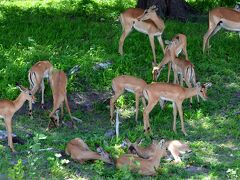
128,83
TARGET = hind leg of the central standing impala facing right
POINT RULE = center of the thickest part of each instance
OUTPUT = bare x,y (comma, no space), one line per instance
146,112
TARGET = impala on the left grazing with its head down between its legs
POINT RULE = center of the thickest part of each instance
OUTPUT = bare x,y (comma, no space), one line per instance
58,83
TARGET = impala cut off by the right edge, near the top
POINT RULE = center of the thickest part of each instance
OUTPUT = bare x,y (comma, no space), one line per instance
226,18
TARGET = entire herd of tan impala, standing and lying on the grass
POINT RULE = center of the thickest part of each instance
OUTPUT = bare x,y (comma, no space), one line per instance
139,159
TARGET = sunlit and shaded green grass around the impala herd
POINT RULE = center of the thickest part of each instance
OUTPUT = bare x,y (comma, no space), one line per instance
85,33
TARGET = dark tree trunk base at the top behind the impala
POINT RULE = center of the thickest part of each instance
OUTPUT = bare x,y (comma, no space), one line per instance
178,9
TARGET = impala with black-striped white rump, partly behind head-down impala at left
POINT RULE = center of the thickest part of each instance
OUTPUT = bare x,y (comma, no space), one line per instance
36,76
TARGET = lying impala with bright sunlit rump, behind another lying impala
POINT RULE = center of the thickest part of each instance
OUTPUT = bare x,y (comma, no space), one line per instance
175,147
